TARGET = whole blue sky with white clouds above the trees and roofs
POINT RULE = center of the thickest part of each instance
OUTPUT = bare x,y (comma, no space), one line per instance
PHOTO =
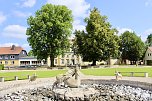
131,15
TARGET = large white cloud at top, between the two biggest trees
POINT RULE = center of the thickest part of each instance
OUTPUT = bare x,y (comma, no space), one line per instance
79,8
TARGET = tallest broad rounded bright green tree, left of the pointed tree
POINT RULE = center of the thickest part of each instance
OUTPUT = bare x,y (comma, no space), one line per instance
49,30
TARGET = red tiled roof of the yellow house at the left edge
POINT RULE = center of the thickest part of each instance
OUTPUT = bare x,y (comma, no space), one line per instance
9,50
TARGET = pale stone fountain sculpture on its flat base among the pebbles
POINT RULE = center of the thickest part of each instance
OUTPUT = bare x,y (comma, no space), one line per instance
69,86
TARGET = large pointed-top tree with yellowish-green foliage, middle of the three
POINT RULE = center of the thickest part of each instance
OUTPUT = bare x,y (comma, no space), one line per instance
100,41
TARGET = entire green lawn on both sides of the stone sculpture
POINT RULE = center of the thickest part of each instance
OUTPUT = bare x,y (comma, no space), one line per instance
95,71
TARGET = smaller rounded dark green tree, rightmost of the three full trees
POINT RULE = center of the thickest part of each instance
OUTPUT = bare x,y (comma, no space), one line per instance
131,46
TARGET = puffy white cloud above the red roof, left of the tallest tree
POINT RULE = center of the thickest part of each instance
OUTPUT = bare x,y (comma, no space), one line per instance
15,31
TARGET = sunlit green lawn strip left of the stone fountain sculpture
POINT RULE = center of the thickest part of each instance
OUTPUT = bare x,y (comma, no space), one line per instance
23,74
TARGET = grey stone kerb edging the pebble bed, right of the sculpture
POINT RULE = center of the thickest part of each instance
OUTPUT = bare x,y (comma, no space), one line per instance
137,84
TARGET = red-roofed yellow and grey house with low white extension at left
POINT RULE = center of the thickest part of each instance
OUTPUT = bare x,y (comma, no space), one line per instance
15,56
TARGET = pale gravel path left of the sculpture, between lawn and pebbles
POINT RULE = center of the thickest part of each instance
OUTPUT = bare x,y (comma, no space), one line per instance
13,86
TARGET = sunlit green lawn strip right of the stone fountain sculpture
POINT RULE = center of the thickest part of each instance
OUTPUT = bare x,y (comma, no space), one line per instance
111,71
